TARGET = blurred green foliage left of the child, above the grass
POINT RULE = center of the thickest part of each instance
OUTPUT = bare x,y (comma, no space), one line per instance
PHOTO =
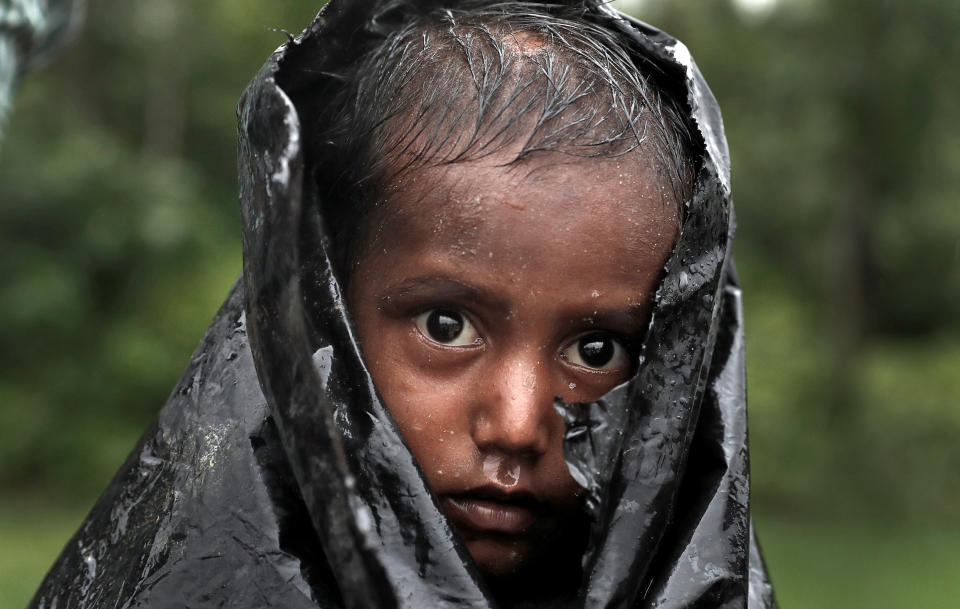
120,227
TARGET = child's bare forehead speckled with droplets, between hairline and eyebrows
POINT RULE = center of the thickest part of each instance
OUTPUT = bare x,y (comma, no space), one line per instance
555,214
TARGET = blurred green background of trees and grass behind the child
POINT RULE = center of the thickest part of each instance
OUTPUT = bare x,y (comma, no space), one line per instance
120,230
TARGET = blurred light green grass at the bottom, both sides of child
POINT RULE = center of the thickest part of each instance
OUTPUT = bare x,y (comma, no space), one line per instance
814,565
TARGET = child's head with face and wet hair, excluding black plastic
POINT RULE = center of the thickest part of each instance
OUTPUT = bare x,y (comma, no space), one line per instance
512,190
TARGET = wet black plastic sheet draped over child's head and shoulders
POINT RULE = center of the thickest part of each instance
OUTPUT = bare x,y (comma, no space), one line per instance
275,476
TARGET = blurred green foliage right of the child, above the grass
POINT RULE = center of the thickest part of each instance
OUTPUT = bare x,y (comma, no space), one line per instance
843,119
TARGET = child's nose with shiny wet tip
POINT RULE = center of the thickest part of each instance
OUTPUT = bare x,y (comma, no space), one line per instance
515,414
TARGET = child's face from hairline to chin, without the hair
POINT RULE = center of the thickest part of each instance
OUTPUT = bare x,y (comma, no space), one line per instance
486,291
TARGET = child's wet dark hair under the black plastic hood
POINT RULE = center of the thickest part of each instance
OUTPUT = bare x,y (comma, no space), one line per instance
451,85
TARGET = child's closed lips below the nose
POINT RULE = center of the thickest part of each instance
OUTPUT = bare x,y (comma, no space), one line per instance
483,512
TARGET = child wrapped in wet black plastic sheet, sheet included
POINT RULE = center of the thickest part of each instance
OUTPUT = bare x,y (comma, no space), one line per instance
490,305
